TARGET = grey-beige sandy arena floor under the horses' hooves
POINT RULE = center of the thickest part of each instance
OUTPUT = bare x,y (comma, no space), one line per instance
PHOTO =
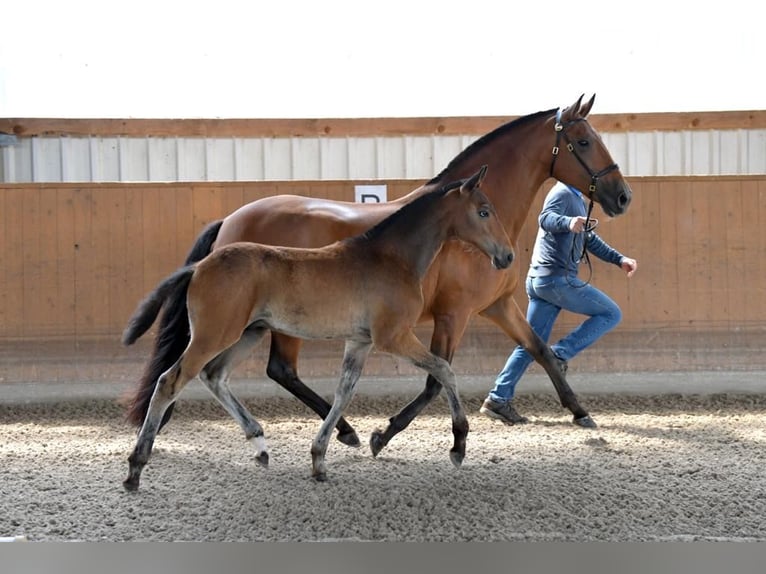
658,467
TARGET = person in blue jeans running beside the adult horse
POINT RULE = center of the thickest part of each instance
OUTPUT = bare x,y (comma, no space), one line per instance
565,236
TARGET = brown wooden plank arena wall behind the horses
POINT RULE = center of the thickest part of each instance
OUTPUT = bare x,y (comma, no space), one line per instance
75,259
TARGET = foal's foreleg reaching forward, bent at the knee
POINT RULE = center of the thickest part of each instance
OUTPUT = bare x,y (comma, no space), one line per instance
408,346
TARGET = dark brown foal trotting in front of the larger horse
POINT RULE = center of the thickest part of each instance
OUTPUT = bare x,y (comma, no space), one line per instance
366,290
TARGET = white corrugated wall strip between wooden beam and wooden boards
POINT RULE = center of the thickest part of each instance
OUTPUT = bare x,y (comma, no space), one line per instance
47,159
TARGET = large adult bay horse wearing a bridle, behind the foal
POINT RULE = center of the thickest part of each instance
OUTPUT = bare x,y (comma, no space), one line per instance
521,155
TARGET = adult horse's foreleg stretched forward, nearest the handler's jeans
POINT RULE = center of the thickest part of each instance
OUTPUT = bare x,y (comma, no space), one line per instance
506,314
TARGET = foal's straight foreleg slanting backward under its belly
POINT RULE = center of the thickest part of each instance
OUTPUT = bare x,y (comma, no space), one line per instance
354,357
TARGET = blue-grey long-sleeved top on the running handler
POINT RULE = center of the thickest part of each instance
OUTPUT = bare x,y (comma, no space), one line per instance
557,249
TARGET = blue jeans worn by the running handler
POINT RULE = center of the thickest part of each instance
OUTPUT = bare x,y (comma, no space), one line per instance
547,297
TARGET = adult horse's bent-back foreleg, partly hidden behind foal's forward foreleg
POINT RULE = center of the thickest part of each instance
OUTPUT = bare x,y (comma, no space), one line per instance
448,331
